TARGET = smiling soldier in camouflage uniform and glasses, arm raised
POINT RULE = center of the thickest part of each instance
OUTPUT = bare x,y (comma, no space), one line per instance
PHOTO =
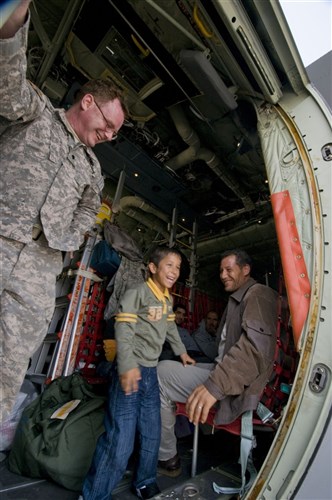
50,193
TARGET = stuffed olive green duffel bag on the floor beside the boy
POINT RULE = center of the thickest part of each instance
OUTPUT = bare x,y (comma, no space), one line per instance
57,433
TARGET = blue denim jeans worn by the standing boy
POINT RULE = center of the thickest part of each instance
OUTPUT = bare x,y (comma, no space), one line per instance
126,415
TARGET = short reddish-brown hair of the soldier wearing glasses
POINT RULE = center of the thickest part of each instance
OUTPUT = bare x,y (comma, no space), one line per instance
104,91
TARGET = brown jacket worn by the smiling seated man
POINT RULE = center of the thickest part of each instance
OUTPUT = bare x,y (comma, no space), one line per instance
251,327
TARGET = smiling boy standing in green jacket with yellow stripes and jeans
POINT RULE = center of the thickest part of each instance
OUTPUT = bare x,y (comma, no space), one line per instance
144,321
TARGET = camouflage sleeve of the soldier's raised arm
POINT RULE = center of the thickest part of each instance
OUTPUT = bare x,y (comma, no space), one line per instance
19,98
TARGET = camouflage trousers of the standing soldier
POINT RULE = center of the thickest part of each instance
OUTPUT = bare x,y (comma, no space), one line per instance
27,286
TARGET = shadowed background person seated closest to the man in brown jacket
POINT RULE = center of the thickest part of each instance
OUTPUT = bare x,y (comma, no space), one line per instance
205,338
